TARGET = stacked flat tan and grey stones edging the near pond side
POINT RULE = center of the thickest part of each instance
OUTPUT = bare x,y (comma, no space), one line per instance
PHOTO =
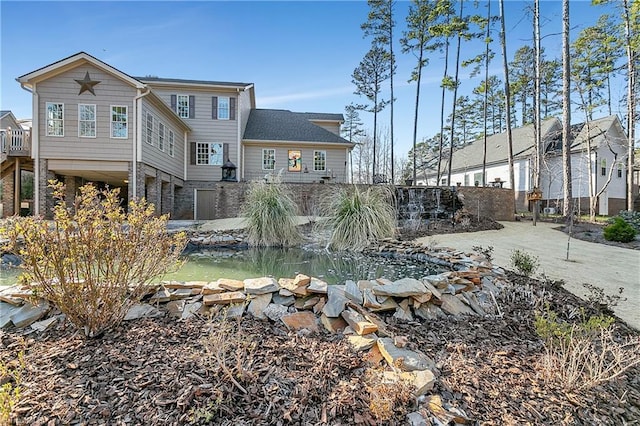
308,305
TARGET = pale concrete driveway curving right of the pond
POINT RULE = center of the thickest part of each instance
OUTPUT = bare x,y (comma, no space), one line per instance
604,266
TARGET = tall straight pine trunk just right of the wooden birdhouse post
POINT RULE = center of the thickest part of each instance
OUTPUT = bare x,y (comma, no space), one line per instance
566,114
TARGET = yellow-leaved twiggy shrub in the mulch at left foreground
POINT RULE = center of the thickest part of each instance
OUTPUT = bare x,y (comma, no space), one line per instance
94,260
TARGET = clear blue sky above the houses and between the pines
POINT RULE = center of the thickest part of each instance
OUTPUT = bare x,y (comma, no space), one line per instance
300,54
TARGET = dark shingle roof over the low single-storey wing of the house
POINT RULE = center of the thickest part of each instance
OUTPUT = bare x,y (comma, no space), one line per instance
284,125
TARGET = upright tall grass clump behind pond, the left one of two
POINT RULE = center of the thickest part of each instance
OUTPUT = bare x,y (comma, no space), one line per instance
271,215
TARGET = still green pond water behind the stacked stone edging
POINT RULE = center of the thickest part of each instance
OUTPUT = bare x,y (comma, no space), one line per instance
334,268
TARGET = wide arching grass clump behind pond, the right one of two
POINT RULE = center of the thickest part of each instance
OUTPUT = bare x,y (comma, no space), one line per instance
356,217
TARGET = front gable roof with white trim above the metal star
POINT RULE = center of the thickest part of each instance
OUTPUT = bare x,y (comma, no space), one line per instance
71,62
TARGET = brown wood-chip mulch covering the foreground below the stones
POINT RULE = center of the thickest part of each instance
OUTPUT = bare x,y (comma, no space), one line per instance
162,371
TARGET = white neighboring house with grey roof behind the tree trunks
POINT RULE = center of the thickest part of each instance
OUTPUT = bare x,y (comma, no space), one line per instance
604,164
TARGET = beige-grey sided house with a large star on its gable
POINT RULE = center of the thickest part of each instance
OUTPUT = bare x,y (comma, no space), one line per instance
163,139
